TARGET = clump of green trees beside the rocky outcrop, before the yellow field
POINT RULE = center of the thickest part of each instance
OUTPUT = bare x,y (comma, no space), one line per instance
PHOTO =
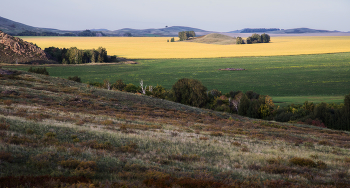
74,55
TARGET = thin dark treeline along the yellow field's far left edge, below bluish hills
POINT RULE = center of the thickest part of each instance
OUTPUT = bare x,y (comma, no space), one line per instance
86,33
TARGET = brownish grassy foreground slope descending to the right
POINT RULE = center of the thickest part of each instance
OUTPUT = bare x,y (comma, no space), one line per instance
73,133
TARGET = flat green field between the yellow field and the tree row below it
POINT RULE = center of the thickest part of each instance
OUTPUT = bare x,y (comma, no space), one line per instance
323,77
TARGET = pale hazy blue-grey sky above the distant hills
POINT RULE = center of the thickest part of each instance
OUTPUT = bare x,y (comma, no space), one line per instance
210,15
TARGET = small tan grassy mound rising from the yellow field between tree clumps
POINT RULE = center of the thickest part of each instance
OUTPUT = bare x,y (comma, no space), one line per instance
214,38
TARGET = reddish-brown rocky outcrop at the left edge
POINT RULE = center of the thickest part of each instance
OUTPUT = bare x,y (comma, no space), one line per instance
16,50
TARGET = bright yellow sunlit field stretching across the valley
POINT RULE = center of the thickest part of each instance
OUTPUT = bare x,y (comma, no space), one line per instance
159,48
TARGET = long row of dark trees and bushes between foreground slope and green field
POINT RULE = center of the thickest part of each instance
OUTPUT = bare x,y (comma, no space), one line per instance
251,104
